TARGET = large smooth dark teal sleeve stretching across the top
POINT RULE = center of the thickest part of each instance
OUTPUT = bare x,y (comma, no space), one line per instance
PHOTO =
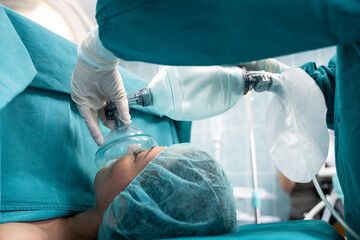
187,32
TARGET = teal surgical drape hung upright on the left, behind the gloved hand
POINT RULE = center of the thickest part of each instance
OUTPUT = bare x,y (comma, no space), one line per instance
47,153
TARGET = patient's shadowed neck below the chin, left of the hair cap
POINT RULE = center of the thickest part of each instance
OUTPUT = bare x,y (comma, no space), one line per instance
84,225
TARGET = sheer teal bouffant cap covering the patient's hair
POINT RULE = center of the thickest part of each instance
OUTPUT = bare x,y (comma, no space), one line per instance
183,191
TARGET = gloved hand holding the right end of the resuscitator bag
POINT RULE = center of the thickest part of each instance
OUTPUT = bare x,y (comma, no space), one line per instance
268,65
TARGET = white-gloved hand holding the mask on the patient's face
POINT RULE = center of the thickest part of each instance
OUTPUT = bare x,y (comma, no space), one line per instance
95,80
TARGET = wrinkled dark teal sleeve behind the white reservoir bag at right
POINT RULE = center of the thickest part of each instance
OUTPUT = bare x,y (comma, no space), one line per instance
324,77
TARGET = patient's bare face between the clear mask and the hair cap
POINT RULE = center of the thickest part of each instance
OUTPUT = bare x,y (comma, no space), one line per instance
111,180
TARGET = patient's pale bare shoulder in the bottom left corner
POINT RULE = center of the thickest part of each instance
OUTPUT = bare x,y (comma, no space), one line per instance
21,231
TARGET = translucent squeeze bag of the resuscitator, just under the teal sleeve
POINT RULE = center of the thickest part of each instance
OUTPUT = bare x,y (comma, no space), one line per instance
192,93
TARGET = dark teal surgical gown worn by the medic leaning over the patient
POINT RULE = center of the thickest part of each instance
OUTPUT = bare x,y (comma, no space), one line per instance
186,32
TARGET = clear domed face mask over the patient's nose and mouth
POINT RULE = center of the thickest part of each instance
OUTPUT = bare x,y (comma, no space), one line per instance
122,140
